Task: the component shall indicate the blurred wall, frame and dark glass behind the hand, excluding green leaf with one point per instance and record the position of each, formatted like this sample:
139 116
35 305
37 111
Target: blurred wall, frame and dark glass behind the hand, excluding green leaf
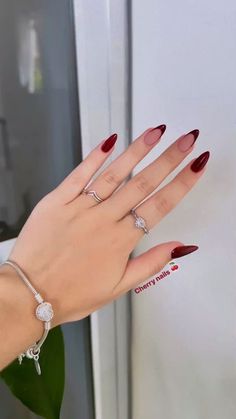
73 72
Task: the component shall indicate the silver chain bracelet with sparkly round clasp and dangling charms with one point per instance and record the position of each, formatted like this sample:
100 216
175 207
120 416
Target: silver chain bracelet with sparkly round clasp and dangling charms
43 312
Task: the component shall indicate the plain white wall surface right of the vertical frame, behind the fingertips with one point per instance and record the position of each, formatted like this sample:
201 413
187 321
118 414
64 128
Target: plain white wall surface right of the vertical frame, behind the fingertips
184 334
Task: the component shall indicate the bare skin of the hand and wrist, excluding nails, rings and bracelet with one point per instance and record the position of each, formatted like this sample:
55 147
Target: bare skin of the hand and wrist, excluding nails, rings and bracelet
76 251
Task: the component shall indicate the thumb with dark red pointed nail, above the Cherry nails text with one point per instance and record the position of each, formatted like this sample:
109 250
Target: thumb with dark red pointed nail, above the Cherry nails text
151 262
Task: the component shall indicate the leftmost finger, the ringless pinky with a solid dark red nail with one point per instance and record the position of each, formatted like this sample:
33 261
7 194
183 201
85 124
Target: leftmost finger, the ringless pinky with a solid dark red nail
74 183
